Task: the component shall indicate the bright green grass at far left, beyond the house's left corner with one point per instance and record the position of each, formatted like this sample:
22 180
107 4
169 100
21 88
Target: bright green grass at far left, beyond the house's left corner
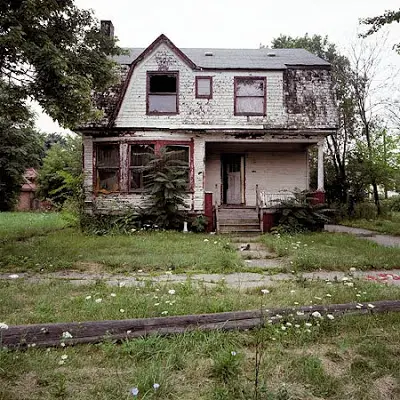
22 225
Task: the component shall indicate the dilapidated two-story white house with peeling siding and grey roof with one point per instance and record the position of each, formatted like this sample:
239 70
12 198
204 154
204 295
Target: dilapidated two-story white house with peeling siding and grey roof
244 119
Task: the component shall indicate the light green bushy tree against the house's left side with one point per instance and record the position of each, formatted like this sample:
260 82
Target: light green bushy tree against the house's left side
60 175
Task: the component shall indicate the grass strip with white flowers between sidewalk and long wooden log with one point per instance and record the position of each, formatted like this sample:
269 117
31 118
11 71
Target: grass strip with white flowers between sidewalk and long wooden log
59 301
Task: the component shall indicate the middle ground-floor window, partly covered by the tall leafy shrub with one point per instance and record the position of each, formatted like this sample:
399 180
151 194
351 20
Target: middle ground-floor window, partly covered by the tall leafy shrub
140 158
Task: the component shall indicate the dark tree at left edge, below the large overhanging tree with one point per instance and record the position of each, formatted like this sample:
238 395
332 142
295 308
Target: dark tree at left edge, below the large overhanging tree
20 145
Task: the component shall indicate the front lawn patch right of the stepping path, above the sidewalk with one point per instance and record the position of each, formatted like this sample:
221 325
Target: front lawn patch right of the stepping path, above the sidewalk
332 251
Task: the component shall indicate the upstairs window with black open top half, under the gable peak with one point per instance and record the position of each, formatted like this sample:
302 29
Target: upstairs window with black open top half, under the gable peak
162 93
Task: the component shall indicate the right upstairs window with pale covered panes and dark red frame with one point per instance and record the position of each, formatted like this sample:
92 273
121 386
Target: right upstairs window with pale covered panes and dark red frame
250 96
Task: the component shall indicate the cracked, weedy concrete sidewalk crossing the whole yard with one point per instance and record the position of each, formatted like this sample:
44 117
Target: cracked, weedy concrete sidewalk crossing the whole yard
235 280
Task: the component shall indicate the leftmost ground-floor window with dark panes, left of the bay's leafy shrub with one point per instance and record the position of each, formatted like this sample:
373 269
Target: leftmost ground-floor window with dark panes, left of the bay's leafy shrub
107 167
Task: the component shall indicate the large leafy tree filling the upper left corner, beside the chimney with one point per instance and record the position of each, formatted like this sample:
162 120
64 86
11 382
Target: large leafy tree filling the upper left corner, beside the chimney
57 54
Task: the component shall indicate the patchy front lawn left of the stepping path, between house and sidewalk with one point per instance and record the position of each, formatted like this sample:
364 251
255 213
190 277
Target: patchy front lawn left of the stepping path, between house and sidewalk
148 251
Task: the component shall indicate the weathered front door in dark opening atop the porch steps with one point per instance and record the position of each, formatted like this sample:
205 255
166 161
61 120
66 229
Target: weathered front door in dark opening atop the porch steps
232 171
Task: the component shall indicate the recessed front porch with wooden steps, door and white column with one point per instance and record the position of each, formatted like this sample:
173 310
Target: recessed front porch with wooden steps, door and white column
246 182
